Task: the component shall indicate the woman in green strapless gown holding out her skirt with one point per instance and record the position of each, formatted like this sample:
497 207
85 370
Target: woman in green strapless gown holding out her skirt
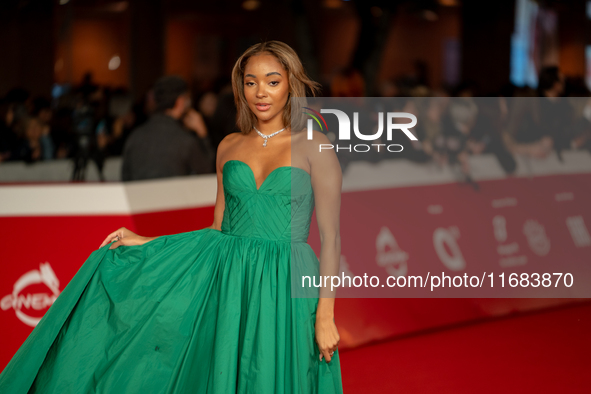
211 310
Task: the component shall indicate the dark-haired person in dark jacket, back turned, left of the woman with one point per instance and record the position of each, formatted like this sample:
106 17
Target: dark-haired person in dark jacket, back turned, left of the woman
163 146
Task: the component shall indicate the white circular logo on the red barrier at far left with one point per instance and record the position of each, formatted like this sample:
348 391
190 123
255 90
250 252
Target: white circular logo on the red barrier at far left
23 302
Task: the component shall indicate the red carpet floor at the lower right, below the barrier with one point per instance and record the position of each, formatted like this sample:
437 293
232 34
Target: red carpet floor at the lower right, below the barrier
546 351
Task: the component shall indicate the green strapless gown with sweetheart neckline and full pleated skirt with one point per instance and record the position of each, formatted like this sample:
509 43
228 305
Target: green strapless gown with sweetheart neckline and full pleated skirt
205 311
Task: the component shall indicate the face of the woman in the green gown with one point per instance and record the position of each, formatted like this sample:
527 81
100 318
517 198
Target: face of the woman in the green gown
266 87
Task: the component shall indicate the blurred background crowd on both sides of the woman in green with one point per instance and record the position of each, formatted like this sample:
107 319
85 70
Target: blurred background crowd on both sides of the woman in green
92 122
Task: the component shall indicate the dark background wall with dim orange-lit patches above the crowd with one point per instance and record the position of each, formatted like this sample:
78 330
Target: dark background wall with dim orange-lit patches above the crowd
44 42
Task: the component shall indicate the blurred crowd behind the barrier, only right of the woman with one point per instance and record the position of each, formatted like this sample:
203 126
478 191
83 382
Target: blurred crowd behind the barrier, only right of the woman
456 123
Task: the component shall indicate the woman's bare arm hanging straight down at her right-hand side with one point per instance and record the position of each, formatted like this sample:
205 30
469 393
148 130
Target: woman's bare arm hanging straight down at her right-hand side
326 176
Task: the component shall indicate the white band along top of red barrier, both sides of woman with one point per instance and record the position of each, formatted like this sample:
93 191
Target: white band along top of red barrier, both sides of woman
200 190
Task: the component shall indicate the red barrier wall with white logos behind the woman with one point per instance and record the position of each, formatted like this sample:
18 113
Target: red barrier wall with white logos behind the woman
64 239
